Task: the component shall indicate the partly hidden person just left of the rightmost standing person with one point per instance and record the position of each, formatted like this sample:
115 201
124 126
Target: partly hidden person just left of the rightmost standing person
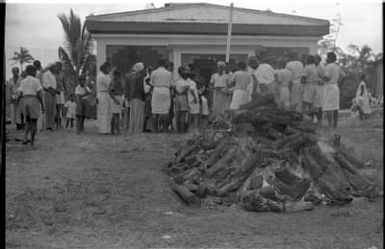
320 88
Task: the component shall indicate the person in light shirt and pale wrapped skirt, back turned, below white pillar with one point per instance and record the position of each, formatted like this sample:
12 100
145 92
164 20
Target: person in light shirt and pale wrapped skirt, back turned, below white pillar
161 97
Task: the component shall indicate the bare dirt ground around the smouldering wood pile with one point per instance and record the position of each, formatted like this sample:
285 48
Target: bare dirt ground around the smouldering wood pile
94 191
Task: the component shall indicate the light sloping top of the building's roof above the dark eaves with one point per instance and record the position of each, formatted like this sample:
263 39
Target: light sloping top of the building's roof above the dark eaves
206 13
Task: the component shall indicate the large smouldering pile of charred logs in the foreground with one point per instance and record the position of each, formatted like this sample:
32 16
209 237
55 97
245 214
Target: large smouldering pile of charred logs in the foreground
267 160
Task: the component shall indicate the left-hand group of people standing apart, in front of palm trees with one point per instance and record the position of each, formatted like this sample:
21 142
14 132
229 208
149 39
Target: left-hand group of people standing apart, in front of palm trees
36 100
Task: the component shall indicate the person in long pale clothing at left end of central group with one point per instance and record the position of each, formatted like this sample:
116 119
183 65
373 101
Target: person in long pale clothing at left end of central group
103 82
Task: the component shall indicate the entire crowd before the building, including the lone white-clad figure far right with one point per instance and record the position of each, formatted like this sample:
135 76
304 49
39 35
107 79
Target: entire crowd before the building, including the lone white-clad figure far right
147 100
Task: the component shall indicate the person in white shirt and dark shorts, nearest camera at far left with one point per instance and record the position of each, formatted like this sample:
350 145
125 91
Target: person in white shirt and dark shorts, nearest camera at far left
31 92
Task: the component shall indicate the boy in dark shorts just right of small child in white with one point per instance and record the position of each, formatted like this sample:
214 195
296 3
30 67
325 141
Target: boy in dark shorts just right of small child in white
81 93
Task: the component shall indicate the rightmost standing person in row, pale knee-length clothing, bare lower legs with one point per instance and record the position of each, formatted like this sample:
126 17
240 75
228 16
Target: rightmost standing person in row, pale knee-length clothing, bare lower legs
331 103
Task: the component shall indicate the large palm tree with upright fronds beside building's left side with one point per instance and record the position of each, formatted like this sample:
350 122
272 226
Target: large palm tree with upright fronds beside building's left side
77 46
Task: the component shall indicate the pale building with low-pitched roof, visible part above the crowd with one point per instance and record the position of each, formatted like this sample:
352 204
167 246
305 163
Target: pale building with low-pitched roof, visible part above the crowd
196 33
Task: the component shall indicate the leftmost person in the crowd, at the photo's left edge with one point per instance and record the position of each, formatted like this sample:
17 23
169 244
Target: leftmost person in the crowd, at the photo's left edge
12 99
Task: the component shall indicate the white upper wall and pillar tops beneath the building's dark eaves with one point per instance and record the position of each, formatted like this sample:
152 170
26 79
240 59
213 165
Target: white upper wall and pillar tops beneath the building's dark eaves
201 44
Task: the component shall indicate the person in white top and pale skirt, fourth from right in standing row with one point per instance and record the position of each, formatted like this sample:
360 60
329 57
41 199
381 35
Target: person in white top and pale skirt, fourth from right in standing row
296 69
